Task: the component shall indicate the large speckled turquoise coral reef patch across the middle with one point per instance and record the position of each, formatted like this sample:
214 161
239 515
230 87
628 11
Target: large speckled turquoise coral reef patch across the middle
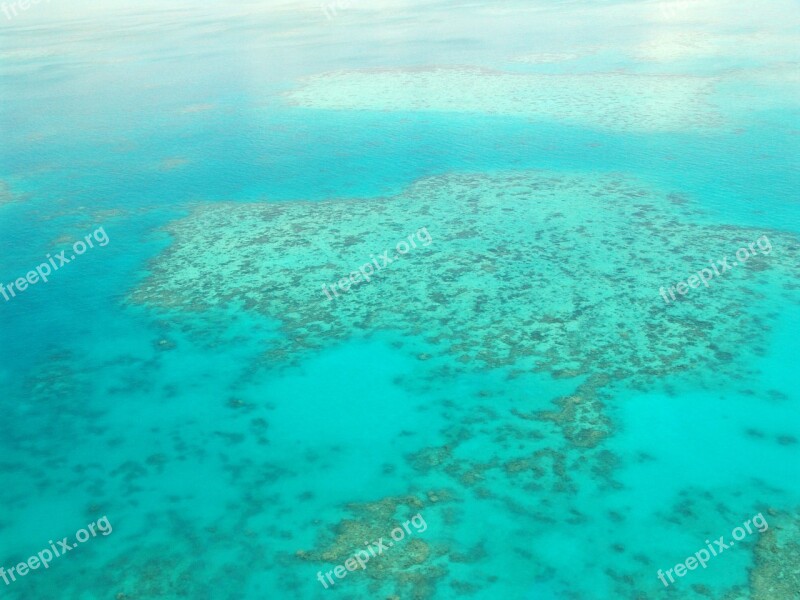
527 271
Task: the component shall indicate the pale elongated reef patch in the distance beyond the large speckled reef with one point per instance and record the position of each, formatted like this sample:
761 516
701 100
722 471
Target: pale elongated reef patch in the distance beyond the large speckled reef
614 101
